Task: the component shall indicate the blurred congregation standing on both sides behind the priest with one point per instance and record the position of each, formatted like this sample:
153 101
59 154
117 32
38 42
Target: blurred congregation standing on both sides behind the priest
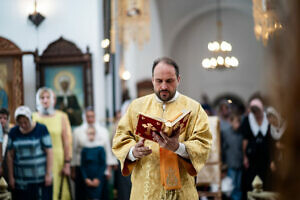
42 155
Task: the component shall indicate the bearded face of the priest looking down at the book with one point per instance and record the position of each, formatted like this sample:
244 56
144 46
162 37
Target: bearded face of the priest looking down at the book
165 81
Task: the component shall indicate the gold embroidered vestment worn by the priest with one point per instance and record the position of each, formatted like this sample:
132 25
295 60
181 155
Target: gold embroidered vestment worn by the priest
146 180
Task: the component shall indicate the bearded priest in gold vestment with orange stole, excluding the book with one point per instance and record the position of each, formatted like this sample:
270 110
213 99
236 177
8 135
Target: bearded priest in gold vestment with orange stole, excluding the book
163 169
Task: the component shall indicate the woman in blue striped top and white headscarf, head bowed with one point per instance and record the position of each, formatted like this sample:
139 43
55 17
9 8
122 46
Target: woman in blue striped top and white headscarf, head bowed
29 158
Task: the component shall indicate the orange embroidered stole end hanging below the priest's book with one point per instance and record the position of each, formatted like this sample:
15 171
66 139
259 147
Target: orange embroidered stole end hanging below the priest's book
169 170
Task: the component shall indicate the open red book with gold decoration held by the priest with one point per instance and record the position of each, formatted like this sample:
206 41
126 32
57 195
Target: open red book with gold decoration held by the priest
147 125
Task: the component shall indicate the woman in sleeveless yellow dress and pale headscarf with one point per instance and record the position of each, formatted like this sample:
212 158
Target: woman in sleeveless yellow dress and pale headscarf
60 131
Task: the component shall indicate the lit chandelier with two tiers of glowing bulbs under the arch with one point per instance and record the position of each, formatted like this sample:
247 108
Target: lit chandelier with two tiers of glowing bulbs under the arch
220 50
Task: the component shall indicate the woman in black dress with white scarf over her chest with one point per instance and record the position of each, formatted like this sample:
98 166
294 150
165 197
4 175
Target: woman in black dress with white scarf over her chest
256 145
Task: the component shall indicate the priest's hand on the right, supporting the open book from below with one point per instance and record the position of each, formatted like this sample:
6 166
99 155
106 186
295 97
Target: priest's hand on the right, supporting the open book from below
170 143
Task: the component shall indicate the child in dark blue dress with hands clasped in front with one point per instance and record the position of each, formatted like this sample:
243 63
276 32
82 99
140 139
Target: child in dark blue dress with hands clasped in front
93 166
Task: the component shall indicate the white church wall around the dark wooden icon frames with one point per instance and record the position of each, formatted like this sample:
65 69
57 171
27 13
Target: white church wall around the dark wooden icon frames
75 20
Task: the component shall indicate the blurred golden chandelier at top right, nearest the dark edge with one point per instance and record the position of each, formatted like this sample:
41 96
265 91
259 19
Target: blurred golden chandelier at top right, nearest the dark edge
266 21
